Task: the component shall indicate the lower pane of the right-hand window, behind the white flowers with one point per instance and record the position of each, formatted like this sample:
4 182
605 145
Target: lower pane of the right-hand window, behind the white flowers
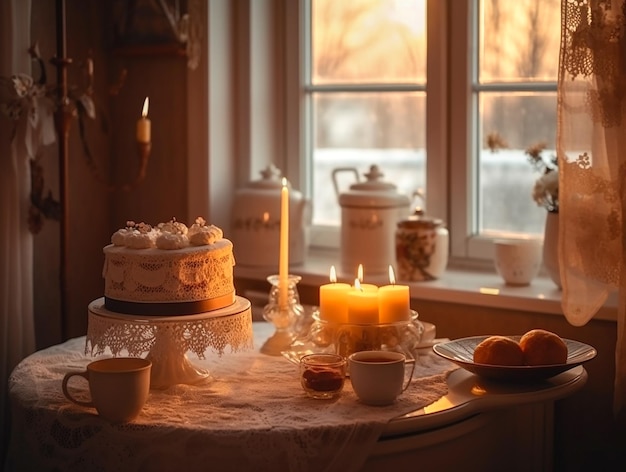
507 177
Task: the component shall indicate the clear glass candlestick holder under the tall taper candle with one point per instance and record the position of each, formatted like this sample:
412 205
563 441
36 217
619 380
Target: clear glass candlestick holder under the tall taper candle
286 318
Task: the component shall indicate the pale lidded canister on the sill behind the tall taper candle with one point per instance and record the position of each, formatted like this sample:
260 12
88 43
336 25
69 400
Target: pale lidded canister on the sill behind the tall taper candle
256 222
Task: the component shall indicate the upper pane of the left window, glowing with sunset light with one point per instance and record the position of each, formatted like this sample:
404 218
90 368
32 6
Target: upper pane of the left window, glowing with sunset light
368 41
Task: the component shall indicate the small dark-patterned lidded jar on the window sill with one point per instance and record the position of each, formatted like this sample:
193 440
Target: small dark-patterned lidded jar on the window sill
421 248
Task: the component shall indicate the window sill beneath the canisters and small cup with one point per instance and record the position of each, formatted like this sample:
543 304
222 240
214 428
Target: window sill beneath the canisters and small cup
458 285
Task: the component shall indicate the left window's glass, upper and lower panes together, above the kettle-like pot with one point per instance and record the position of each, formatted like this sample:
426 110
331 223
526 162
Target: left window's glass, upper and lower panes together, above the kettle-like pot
366 105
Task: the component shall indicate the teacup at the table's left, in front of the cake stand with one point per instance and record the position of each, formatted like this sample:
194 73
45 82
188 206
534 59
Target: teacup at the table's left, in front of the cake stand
119 387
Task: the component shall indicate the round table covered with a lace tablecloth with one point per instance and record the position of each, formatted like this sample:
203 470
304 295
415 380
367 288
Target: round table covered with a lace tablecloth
252 414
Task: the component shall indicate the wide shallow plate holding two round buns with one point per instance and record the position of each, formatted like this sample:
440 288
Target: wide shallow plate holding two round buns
461 352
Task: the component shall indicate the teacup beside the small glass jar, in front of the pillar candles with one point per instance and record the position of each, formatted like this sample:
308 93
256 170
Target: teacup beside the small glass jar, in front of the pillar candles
378 377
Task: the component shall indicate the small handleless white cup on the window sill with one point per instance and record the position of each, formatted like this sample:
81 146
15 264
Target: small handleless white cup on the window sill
518 261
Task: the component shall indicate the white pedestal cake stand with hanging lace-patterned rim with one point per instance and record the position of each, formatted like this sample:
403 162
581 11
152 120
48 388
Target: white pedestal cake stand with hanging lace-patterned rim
167 339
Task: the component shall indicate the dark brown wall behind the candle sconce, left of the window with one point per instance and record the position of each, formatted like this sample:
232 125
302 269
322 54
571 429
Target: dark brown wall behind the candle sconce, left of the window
95 211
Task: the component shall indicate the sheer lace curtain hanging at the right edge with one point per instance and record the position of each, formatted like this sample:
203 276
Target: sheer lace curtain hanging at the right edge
592 165
